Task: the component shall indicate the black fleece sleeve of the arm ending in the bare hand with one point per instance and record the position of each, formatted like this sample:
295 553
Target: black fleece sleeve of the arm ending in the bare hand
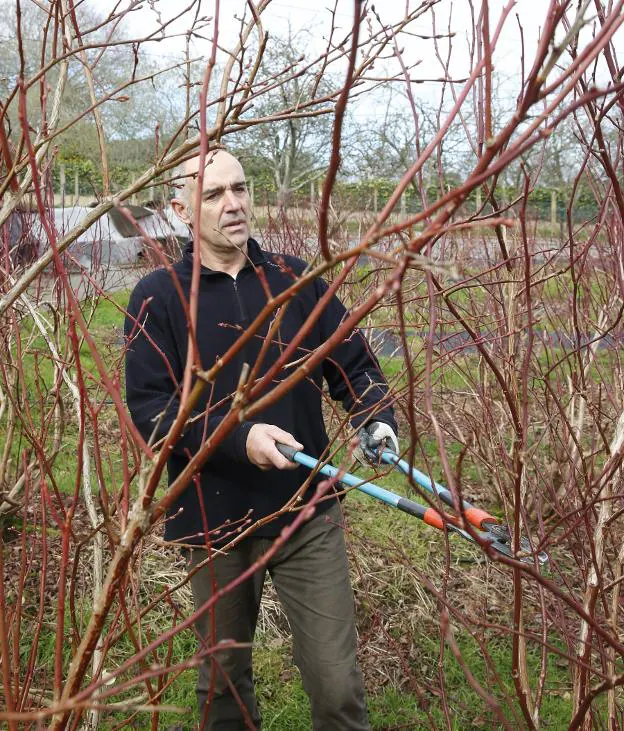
153 383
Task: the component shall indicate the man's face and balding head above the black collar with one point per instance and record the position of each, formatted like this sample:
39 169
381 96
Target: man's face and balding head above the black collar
225 204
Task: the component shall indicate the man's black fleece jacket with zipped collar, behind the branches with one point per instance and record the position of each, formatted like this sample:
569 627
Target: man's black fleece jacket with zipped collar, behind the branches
230 491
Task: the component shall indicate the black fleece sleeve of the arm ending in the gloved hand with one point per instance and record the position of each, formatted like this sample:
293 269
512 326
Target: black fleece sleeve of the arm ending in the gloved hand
352 372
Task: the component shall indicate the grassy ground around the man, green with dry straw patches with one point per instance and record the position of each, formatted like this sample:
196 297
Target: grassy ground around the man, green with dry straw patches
405 663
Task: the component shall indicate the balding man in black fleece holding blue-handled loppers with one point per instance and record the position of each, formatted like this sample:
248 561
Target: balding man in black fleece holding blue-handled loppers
247 478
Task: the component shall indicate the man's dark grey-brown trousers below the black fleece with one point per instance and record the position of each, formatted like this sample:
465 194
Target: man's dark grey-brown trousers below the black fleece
310 575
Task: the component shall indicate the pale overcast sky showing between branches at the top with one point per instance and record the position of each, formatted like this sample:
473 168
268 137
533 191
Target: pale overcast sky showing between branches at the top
312 17
